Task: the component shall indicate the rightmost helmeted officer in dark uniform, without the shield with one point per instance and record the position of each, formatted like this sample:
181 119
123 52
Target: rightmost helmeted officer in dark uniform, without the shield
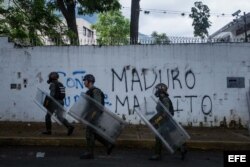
161 92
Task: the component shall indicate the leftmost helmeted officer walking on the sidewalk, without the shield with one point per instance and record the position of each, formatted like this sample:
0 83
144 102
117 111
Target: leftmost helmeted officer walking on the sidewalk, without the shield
56 90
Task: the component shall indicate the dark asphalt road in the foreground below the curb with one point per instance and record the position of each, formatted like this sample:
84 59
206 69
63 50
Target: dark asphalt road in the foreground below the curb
69 157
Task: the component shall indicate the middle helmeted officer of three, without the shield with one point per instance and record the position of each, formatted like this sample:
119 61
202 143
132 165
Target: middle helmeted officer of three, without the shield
91 136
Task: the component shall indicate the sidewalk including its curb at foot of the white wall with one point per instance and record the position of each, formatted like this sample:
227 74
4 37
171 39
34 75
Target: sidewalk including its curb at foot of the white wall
133 136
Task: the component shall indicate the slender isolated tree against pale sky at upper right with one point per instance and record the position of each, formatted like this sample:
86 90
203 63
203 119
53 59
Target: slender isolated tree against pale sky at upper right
200 15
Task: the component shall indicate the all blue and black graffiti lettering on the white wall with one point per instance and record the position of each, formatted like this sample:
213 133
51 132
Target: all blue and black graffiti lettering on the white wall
129 85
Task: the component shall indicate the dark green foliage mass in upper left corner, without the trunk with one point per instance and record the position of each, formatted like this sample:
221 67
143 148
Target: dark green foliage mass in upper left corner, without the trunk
30 22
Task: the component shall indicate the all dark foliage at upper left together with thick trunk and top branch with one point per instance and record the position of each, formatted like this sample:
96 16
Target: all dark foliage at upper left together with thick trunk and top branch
35 19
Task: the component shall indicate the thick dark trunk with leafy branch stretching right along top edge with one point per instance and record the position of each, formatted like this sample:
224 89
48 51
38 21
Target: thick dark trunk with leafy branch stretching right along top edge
68 9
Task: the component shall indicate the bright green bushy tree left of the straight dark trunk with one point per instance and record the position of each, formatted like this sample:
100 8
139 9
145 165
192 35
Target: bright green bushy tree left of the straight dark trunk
112 28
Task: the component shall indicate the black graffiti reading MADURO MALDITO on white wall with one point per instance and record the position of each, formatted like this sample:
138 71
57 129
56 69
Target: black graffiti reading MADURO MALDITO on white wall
136 83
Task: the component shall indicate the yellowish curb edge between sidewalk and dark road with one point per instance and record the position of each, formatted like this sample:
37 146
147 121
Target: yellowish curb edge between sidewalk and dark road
121 143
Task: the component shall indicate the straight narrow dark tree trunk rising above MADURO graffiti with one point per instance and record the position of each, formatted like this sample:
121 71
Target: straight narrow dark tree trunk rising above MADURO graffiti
134 25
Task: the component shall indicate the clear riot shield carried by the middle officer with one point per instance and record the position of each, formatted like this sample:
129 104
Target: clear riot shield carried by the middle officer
91 113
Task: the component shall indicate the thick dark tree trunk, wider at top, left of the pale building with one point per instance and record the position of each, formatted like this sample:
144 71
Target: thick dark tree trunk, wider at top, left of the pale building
67 8
